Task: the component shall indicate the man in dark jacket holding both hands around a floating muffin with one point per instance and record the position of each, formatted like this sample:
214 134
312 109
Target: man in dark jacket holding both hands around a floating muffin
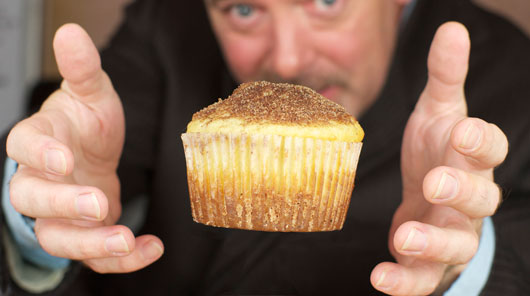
438 184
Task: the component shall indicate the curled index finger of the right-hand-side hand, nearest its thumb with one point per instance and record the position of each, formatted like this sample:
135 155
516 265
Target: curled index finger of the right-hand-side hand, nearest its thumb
484 144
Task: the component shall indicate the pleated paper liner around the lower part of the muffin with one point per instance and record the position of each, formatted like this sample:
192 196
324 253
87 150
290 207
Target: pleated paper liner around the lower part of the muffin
269 182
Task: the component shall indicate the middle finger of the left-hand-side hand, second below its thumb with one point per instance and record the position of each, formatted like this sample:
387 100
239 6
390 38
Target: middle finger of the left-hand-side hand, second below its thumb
37 197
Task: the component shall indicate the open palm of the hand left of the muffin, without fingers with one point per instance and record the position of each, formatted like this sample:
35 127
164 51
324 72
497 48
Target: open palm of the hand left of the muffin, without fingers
95 135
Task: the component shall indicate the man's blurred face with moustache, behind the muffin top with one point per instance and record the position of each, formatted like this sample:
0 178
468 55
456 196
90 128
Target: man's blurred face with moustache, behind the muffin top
340 48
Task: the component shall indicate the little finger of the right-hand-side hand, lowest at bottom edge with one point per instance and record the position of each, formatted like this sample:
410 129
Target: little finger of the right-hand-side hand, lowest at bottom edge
395 279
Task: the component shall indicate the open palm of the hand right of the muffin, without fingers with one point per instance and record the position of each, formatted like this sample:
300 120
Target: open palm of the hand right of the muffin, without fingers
426 145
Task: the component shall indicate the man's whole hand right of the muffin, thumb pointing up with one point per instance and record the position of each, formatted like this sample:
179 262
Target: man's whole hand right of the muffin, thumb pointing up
447 166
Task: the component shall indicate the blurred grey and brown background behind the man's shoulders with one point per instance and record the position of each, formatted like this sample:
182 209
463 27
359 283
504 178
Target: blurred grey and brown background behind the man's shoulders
27 65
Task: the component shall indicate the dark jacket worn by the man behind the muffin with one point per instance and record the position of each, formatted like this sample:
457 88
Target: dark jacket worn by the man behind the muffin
165 64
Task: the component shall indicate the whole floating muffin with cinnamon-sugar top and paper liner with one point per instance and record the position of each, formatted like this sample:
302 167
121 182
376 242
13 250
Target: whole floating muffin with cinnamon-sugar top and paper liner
272 157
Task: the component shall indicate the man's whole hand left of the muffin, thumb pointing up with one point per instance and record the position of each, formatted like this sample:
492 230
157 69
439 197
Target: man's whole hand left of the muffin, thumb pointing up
68 153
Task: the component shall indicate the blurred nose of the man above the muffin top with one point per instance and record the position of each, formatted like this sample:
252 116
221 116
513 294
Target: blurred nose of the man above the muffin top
289 49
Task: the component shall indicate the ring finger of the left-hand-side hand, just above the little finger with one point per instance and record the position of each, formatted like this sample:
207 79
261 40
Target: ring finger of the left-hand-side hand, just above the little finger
79 243
